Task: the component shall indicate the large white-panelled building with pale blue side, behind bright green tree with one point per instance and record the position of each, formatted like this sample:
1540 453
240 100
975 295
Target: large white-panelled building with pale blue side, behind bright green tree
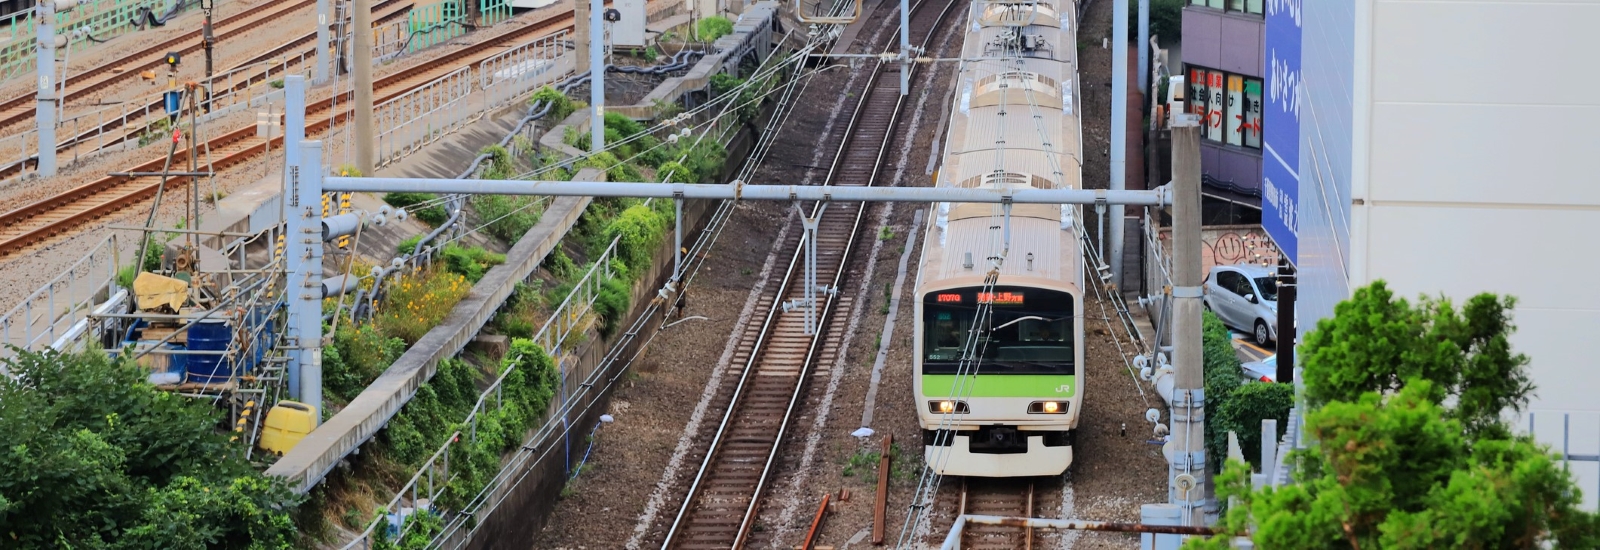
1446 149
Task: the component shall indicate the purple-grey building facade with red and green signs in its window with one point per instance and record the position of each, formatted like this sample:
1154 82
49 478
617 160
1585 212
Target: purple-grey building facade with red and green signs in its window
1223 70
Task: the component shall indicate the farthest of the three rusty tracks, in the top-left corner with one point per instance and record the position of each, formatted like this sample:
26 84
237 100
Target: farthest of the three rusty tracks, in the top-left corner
95 81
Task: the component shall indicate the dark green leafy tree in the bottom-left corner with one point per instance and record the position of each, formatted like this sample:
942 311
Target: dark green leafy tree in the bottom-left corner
92 456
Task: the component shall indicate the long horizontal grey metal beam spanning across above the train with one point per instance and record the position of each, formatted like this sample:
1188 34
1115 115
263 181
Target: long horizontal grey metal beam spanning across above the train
740 191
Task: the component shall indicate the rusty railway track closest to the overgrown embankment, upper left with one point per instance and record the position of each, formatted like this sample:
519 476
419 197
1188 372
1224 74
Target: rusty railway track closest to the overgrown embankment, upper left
42 221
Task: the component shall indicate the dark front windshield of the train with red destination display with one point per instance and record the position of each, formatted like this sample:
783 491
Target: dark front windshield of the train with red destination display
1023 330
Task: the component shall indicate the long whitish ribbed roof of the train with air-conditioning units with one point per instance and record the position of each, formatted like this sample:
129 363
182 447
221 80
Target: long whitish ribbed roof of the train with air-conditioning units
1014 124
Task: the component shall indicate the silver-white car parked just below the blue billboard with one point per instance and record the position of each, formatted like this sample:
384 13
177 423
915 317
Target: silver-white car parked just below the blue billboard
1246 298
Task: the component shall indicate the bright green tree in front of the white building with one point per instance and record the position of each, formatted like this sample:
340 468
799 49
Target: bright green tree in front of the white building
1417 456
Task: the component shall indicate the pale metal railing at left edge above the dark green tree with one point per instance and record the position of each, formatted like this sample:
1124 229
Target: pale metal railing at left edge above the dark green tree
49 313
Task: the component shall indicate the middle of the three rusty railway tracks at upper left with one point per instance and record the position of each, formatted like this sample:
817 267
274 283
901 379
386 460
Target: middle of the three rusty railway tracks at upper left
94 140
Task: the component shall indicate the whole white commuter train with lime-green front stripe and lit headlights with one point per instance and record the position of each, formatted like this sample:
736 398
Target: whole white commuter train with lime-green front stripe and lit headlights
999 314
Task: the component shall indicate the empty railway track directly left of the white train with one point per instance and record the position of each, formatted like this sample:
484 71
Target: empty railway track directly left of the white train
778 357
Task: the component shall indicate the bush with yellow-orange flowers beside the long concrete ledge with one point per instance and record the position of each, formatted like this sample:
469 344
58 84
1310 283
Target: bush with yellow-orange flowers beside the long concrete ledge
418 301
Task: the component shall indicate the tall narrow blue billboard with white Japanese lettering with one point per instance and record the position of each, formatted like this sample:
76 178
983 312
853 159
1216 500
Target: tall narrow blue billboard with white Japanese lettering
1281 127
